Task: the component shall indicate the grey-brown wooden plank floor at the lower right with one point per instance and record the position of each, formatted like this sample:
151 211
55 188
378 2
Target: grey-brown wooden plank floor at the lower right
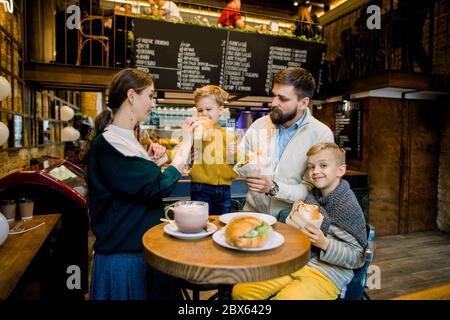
411 262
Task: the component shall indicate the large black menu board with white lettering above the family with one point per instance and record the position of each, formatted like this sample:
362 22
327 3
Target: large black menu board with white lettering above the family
185 57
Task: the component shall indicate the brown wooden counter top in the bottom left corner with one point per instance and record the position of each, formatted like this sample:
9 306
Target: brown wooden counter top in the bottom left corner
18 251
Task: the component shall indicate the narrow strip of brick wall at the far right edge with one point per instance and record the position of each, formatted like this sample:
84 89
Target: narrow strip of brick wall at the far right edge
443 201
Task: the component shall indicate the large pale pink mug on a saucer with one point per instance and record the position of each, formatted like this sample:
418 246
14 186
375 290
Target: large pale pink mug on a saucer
188 216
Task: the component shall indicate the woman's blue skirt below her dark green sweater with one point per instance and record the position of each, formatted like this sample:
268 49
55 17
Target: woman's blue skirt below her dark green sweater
127 276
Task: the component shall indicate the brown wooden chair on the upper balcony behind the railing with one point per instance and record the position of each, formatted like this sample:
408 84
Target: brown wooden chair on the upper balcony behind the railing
83 38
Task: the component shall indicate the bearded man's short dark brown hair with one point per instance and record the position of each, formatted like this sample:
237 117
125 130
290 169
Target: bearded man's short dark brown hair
302 80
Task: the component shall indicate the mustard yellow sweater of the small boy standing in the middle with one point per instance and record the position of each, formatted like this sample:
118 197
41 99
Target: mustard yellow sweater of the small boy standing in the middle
214 169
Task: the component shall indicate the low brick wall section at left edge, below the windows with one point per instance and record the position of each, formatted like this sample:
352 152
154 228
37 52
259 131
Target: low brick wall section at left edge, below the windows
20 159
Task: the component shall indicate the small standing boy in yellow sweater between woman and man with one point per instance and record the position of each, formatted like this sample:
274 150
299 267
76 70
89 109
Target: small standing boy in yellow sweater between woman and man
212 171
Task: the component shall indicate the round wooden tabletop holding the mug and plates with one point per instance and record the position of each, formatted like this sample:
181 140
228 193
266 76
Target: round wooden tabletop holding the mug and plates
204 261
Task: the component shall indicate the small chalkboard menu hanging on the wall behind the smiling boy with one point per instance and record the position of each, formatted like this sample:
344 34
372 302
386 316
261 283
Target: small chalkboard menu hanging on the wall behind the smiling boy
348 124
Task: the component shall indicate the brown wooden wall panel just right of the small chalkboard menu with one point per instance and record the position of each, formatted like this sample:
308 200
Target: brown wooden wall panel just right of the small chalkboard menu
383 118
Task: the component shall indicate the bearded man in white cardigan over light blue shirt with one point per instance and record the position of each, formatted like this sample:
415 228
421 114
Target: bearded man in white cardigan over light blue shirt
283 137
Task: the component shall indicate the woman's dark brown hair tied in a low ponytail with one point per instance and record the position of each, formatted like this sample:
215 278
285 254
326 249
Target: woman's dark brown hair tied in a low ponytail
118 92
